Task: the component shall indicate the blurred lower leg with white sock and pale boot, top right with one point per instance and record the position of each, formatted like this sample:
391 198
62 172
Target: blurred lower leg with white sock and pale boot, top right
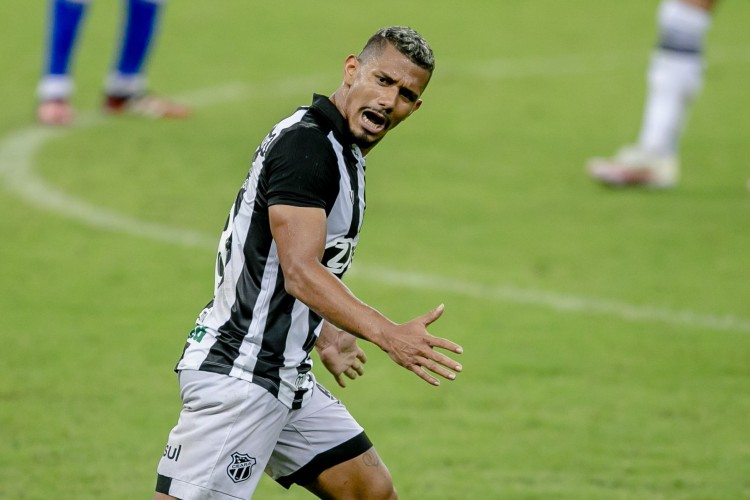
675 77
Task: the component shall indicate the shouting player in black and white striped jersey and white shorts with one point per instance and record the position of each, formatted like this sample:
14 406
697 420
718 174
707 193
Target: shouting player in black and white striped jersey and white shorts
250 402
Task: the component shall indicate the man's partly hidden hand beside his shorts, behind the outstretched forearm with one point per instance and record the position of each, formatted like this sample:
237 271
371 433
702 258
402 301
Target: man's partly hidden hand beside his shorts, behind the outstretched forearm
340 354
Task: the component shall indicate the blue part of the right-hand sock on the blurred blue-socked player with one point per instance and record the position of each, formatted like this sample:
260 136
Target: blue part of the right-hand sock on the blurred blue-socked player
137 34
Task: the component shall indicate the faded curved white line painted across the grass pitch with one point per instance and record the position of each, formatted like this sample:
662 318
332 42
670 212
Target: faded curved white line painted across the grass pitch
18 149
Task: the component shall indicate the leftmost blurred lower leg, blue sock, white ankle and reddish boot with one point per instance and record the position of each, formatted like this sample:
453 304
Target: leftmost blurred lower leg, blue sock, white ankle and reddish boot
56 86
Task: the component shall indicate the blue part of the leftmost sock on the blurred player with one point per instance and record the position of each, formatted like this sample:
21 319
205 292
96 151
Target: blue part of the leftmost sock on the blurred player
64 23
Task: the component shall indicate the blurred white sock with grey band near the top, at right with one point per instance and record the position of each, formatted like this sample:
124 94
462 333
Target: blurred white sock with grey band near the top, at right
675 75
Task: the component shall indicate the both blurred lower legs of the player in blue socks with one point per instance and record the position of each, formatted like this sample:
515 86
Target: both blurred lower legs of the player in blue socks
125 85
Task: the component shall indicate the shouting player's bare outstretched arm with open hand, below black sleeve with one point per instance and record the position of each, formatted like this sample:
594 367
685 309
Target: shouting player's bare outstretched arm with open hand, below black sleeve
299 233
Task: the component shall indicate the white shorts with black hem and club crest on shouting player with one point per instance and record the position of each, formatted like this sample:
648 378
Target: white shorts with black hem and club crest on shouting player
231 430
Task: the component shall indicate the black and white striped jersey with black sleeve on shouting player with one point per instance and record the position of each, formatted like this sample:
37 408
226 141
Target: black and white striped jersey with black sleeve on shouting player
253 329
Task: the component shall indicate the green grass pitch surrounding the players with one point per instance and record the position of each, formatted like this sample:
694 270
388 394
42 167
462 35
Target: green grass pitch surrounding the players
606 332
